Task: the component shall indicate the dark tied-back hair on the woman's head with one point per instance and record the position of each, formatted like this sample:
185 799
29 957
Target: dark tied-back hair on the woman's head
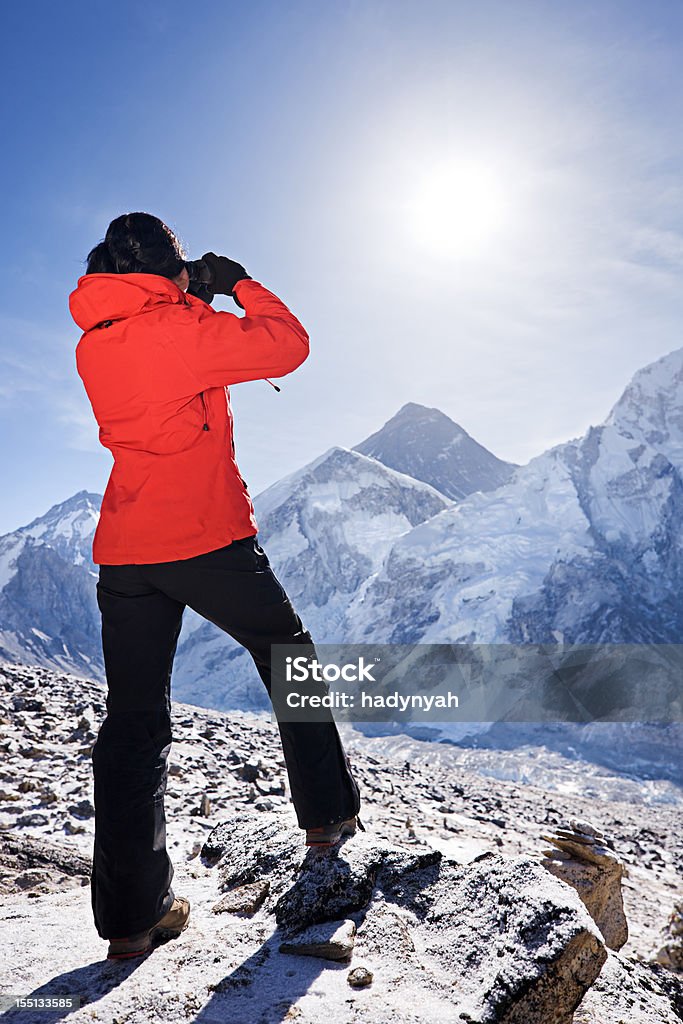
138 243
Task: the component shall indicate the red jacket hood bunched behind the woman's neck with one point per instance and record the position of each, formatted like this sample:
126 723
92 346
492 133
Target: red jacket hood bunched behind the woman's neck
115 296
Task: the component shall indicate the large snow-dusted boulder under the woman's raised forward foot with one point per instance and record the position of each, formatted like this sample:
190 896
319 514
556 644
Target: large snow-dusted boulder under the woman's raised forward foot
500 941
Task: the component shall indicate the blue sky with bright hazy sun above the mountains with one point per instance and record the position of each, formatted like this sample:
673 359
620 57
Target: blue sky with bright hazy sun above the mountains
313 143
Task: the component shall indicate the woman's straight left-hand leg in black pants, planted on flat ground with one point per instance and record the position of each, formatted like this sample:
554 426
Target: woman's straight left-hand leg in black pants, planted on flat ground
132 870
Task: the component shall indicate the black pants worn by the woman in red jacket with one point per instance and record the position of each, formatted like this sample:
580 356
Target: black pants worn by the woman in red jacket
142 610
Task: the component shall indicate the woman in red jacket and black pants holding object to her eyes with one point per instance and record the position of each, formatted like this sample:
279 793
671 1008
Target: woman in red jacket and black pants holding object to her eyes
177 530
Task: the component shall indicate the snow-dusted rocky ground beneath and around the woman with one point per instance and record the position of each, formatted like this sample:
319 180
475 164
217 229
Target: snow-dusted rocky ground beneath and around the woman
430 956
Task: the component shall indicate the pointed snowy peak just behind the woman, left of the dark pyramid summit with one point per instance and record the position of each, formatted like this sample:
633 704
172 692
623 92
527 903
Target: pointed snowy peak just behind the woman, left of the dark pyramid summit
326 529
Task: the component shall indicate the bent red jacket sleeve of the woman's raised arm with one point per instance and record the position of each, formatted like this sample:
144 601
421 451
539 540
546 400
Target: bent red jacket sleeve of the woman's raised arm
223 349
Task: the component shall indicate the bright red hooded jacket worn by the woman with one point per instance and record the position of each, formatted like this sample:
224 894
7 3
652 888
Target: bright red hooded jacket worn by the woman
157 364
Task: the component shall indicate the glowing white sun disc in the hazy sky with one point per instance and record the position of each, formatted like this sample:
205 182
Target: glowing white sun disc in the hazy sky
458 209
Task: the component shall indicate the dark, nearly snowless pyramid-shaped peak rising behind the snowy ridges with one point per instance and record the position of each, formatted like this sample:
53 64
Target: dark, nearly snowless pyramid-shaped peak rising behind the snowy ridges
428 445
